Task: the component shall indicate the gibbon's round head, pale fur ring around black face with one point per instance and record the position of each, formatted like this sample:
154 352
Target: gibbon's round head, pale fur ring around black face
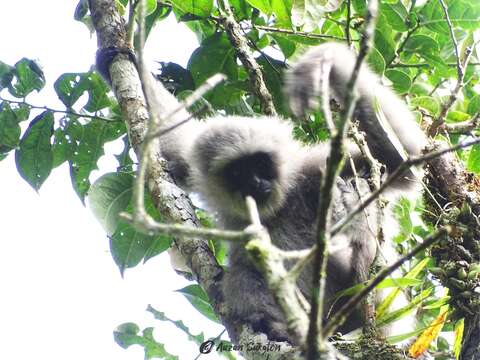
234 158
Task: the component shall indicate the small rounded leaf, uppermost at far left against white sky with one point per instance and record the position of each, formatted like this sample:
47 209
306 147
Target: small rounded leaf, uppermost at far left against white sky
28 76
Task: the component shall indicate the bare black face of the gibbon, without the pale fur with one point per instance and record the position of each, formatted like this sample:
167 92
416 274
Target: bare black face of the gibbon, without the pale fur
252 175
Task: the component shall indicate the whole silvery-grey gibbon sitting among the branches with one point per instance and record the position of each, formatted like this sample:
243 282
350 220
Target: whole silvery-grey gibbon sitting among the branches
224 159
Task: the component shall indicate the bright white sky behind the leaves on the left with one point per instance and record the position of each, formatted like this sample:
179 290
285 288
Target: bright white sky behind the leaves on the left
61 295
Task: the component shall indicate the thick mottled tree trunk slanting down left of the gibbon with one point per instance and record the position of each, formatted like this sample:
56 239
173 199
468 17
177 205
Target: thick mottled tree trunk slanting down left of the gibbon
170 200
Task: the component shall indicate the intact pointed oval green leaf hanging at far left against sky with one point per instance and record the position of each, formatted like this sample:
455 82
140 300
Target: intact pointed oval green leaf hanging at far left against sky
34 157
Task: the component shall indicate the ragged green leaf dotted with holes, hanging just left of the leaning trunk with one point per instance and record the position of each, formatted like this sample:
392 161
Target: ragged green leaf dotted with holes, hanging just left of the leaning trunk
90 140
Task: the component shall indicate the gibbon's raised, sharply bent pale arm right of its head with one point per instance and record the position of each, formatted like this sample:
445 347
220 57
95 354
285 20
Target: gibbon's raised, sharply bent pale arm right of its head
392 134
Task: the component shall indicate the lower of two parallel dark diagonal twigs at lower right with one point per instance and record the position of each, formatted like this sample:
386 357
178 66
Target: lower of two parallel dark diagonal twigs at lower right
341 315
